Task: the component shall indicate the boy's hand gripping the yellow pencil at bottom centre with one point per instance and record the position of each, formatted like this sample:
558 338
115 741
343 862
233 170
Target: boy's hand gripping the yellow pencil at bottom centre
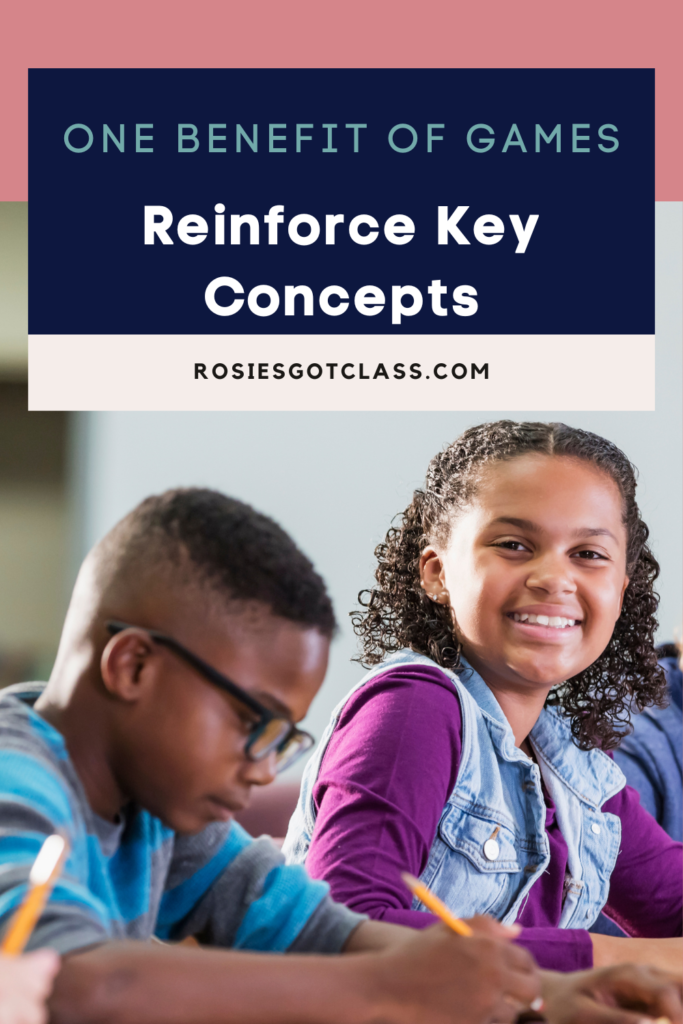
440 978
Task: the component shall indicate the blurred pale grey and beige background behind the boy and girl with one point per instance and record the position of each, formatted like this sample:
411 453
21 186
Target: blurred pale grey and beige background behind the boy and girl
333 480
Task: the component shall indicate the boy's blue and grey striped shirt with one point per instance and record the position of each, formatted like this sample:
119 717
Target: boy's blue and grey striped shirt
138 879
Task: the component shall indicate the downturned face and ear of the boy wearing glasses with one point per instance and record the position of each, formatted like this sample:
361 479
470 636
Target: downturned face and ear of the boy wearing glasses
181 741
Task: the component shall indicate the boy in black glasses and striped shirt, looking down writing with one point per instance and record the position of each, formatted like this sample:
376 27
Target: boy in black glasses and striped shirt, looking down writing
197 637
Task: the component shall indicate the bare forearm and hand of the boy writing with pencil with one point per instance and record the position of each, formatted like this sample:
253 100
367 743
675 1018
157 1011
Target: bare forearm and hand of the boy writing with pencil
433 978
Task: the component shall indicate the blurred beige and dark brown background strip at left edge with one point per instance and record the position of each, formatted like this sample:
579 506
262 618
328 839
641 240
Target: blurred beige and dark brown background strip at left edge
34 497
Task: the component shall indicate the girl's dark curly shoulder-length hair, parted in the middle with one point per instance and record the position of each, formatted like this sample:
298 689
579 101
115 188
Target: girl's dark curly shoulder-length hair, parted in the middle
398 614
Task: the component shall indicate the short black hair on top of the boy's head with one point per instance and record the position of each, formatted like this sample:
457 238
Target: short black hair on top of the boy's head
236 550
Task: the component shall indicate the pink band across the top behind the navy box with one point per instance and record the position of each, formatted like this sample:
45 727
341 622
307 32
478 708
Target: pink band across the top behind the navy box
356 34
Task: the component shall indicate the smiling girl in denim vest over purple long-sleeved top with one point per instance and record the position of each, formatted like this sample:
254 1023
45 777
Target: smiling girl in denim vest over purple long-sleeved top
510 633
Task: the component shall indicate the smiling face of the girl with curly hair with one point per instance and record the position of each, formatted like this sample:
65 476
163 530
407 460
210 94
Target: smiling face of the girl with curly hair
534 571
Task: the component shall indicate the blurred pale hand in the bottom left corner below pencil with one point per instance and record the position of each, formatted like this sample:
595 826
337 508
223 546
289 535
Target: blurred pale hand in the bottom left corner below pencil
25 985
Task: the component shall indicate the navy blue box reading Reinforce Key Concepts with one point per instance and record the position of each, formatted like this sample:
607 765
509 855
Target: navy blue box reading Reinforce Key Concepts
589 267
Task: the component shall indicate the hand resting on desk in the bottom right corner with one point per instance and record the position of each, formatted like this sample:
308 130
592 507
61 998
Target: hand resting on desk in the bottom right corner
628 994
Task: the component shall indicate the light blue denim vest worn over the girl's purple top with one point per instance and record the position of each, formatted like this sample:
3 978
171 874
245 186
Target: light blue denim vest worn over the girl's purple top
491 845
